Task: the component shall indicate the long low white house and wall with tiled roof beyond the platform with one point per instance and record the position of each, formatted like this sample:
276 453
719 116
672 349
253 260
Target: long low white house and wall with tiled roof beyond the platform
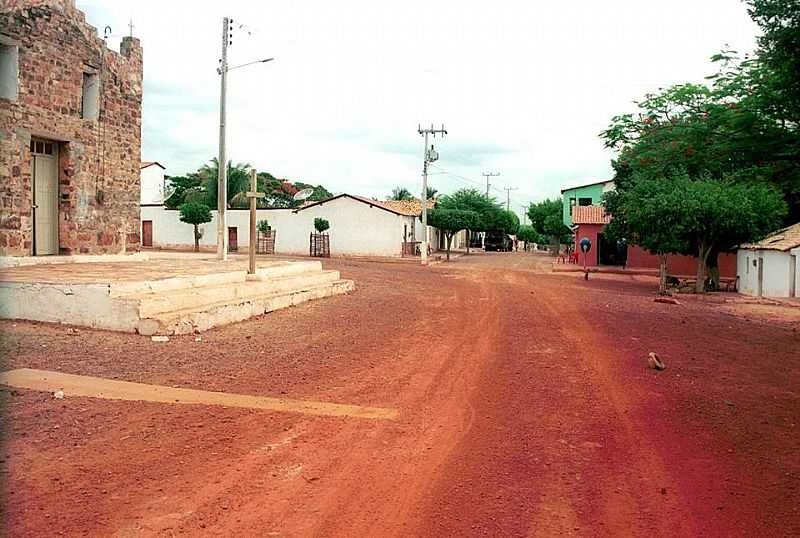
359 226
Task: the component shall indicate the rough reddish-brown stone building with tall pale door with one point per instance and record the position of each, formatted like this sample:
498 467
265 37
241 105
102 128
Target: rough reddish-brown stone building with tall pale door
70 133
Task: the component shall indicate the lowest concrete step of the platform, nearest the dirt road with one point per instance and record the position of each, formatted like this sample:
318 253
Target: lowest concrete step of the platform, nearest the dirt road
198 319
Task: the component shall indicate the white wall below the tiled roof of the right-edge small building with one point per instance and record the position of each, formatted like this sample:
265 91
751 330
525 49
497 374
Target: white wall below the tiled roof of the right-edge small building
776 272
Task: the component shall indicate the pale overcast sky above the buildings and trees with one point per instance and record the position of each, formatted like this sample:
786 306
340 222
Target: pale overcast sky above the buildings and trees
523 88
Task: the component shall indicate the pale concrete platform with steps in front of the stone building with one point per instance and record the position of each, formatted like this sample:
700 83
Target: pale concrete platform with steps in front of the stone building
165 295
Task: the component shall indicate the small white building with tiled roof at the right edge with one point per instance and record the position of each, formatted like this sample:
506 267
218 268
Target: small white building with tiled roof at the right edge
769 268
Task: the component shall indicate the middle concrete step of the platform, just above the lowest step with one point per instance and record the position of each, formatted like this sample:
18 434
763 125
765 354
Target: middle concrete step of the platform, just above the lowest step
150 304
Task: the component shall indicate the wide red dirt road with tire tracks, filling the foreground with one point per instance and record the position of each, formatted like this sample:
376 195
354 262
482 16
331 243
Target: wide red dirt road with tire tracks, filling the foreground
526 409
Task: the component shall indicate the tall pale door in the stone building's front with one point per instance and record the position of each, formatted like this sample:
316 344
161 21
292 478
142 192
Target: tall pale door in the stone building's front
45 197
